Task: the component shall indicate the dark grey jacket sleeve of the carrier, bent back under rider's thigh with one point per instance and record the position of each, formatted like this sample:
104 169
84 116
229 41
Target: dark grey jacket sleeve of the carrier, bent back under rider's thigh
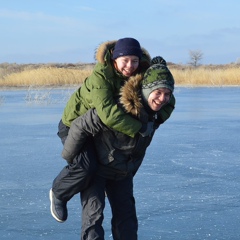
81 128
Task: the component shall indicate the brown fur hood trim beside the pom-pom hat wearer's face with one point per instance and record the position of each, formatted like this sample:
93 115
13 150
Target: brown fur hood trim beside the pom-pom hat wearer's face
130 95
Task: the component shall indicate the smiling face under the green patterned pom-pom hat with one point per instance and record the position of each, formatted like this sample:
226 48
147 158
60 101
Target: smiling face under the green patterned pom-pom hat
158 98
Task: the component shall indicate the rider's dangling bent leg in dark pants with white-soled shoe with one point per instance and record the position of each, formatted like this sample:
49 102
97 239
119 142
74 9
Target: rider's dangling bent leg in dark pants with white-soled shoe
73 179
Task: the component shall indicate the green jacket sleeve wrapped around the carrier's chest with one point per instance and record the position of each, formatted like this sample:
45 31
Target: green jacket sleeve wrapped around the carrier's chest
109 112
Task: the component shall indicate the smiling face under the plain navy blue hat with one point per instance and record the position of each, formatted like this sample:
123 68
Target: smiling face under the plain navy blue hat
127 65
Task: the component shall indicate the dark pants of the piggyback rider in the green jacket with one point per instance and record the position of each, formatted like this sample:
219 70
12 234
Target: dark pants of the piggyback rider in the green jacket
76 176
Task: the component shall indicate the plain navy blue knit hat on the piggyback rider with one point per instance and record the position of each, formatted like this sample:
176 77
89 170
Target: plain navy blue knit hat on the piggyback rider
127 46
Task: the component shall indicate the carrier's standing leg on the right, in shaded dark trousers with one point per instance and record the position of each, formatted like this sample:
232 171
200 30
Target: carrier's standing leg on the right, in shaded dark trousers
124 220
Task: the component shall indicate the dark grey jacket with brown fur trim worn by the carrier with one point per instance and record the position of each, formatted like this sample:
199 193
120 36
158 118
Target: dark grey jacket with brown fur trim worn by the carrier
118 154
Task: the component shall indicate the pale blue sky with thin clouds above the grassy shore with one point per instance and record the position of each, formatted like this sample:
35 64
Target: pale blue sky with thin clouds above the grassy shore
62 31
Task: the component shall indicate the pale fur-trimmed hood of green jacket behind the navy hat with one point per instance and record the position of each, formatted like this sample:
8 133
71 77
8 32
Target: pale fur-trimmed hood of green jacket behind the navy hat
104 48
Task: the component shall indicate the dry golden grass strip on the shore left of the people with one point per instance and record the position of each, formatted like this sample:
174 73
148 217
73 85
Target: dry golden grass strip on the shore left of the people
44 75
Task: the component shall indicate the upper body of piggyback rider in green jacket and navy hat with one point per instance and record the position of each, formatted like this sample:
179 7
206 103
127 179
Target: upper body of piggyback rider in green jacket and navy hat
116 62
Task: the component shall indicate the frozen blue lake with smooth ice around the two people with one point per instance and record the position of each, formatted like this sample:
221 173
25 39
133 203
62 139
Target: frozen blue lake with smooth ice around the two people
188 187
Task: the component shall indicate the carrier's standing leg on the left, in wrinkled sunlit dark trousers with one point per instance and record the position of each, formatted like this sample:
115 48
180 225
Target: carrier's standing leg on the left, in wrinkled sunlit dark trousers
93 204
